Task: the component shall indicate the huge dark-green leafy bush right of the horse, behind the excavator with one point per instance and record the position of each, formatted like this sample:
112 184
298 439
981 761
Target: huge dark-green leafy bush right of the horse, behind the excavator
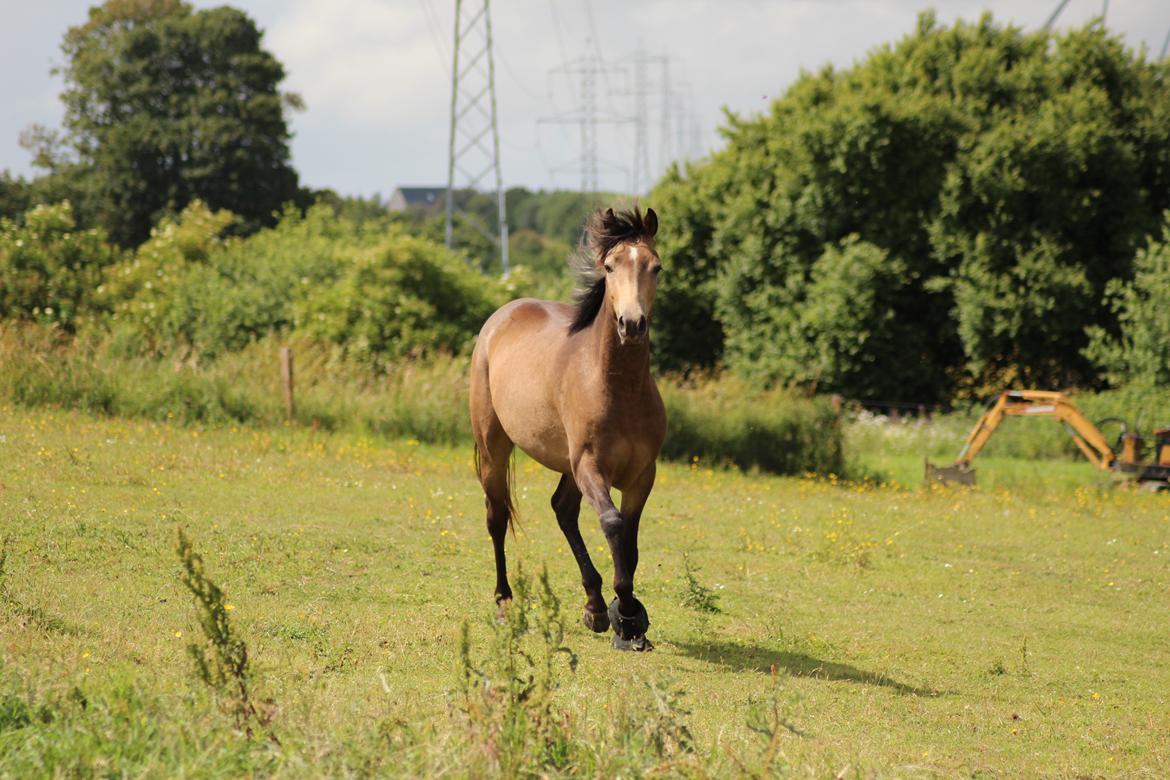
1007 176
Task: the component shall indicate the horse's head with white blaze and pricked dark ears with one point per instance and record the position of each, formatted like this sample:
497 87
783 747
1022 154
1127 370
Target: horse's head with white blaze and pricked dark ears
631 266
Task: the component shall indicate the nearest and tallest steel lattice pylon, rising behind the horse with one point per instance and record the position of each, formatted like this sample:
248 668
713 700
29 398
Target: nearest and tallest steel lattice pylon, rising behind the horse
473 154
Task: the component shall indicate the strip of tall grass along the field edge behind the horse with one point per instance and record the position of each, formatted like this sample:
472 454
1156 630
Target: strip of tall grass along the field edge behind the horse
724 422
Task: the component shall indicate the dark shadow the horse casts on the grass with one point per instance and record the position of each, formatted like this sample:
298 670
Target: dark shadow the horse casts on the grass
745 658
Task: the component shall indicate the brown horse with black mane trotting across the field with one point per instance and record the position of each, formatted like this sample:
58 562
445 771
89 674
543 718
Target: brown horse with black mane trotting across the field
572 386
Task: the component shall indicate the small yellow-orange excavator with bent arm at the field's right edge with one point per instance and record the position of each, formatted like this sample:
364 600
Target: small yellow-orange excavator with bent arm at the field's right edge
1125 460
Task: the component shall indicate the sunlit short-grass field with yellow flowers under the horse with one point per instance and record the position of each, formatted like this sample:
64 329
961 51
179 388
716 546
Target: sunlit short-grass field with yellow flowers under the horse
1015 631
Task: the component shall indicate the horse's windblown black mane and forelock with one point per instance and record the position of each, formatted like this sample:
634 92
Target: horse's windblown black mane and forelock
604 231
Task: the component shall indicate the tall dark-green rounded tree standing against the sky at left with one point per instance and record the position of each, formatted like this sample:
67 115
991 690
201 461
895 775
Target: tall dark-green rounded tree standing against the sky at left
166 106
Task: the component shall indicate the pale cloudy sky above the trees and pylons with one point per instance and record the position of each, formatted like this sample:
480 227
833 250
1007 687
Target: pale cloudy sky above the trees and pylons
376 75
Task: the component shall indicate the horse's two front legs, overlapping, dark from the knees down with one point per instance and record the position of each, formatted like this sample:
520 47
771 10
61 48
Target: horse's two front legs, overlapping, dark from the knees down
628 616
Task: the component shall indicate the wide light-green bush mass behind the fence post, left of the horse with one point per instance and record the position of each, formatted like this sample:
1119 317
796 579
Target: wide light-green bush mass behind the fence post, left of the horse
377 294
